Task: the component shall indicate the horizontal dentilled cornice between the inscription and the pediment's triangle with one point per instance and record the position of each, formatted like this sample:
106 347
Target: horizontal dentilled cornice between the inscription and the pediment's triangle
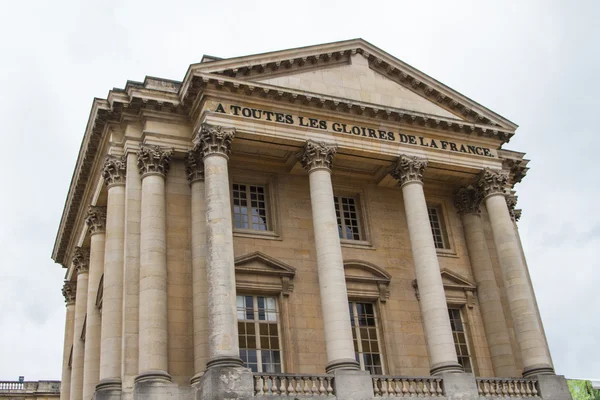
339 104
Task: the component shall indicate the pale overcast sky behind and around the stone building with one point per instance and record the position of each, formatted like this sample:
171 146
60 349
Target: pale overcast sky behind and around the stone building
534 62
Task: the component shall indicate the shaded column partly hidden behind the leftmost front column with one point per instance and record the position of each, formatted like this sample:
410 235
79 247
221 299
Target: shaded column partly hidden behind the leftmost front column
195 174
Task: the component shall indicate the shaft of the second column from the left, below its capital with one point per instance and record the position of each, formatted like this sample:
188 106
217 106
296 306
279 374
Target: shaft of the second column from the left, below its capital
78 344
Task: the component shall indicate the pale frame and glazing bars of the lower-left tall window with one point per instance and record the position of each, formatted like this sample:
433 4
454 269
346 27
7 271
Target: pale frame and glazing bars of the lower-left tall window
257 322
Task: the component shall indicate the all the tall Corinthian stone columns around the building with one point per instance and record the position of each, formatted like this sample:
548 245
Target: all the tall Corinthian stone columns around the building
98 365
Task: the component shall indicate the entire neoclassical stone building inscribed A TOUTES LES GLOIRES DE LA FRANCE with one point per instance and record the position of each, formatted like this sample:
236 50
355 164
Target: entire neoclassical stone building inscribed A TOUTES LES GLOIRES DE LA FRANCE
321 221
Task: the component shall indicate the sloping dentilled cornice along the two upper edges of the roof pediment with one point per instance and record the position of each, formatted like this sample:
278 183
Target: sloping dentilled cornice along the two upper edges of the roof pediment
331 53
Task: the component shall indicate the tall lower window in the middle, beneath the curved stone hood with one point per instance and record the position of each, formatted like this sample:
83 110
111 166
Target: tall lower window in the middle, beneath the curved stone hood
365 334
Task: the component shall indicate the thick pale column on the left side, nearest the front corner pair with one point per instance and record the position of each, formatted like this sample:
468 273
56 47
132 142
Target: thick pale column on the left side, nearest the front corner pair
153 165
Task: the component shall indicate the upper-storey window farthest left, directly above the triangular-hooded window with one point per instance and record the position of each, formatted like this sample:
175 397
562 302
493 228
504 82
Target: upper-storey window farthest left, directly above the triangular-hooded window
250 207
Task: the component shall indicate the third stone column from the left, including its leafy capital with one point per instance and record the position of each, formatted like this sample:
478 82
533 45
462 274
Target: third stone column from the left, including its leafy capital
96 222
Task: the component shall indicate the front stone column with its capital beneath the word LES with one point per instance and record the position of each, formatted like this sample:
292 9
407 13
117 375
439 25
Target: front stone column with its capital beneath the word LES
316 158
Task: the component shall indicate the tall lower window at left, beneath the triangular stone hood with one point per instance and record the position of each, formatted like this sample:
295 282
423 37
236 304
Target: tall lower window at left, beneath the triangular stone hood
258 332
